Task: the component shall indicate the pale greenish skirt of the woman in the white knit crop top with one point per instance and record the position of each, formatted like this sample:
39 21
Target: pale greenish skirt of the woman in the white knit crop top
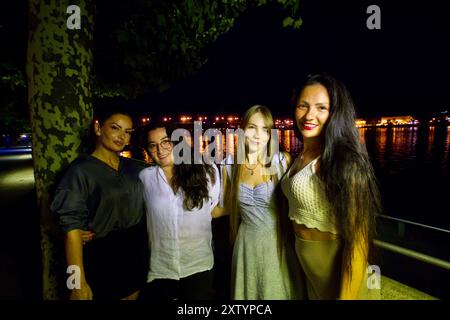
321 262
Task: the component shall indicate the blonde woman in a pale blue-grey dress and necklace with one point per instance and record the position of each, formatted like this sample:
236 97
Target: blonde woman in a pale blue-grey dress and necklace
264 266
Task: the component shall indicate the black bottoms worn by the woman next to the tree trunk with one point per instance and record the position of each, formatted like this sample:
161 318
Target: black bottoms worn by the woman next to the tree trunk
117 264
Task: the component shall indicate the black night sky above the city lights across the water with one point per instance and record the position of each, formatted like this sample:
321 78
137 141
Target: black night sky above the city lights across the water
403 68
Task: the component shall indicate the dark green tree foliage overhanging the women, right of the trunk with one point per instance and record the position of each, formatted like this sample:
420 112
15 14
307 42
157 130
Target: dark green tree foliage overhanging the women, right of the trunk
151 44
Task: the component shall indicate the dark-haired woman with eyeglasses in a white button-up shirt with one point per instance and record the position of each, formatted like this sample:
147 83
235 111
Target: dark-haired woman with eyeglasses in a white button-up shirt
179 200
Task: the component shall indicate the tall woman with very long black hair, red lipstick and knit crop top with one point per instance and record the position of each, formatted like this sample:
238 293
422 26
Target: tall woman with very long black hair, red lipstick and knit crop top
332 193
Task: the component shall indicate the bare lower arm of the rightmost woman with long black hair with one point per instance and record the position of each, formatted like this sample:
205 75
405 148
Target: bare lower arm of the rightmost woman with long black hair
350 284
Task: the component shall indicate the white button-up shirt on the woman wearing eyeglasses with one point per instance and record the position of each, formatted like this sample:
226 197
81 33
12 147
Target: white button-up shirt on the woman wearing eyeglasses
180 240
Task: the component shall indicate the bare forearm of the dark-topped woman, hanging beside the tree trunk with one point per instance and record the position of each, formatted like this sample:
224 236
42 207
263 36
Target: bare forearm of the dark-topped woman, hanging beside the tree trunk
74 256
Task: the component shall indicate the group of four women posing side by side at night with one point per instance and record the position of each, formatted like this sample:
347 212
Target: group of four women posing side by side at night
299 229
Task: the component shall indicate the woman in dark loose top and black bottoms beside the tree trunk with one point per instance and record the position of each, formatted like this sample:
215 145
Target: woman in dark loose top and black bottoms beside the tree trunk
102 193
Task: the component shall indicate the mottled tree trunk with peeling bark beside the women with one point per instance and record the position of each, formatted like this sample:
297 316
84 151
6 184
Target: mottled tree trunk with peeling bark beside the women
59 64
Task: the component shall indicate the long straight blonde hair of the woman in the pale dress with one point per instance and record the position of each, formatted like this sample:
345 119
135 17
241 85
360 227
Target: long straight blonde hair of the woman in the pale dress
232 197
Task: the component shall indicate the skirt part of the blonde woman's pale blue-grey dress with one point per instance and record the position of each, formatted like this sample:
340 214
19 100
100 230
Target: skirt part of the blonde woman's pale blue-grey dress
258 273
